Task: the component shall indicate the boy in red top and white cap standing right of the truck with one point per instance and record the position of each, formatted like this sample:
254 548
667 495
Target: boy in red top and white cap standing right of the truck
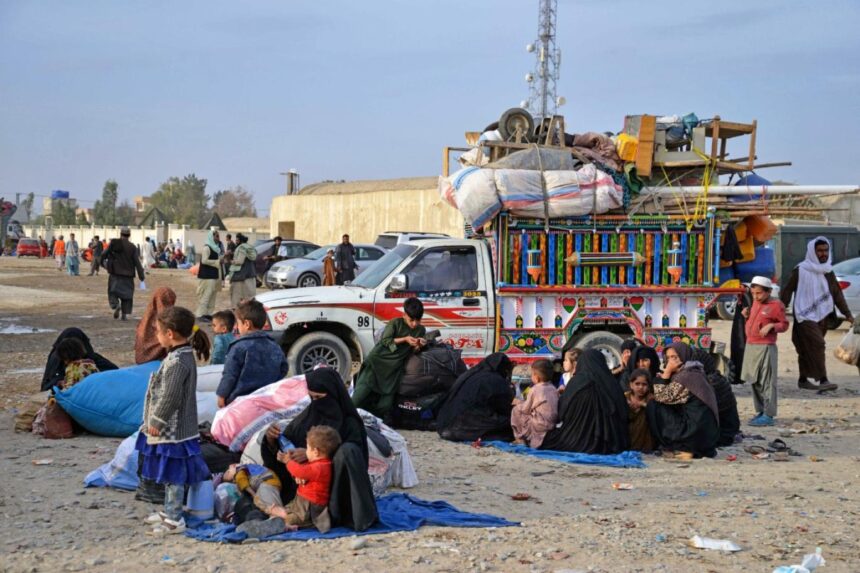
765 320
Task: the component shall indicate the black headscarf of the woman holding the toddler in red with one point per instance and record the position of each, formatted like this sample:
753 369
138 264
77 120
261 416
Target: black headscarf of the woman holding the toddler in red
335 409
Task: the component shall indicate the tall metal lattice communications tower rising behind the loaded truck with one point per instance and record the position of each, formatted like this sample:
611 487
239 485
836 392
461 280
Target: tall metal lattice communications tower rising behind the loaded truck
543 100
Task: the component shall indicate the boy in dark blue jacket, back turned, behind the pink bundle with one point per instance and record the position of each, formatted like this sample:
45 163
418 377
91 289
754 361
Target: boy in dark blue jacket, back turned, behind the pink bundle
254 360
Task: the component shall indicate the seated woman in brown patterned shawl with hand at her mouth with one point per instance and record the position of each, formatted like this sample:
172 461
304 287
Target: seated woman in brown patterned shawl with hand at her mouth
683 416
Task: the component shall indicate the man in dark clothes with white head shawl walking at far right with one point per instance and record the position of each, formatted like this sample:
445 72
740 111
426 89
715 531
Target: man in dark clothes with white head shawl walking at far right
816 292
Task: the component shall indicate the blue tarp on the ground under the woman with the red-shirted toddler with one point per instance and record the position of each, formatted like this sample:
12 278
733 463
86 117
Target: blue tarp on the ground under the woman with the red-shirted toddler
397 512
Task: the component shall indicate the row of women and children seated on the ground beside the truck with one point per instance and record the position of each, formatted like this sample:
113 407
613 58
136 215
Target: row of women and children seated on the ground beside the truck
685 410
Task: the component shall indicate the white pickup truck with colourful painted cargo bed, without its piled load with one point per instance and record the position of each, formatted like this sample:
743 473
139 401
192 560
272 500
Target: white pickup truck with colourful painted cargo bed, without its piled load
518 290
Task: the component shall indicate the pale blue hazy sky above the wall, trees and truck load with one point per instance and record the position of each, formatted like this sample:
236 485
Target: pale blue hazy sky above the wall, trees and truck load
238 92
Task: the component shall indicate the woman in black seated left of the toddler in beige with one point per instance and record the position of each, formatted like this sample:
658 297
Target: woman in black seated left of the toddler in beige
480 402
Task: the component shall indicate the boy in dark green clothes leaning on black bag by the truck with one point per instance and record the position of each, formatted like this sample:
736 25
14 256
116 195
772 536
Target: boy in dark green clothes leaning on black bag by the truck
379 378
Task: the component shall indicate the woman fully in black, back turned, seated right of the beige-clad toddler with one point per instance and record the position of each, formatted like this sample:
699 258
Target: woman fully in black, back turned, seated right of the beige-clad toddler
592 411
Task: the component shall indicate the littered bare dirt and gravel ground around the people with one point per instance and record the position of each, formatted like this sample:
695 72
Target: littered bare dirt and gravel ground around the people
575 521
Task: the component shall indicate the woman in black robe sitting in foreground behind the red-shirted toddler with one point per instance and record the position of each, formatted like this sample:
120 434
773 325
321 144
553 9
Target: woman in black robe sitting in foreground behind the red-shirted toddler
352 503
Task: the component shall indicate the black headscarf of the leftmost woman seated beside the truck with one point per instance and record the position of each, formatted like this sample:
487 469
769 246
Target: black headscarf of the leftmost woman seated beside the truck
473 388
